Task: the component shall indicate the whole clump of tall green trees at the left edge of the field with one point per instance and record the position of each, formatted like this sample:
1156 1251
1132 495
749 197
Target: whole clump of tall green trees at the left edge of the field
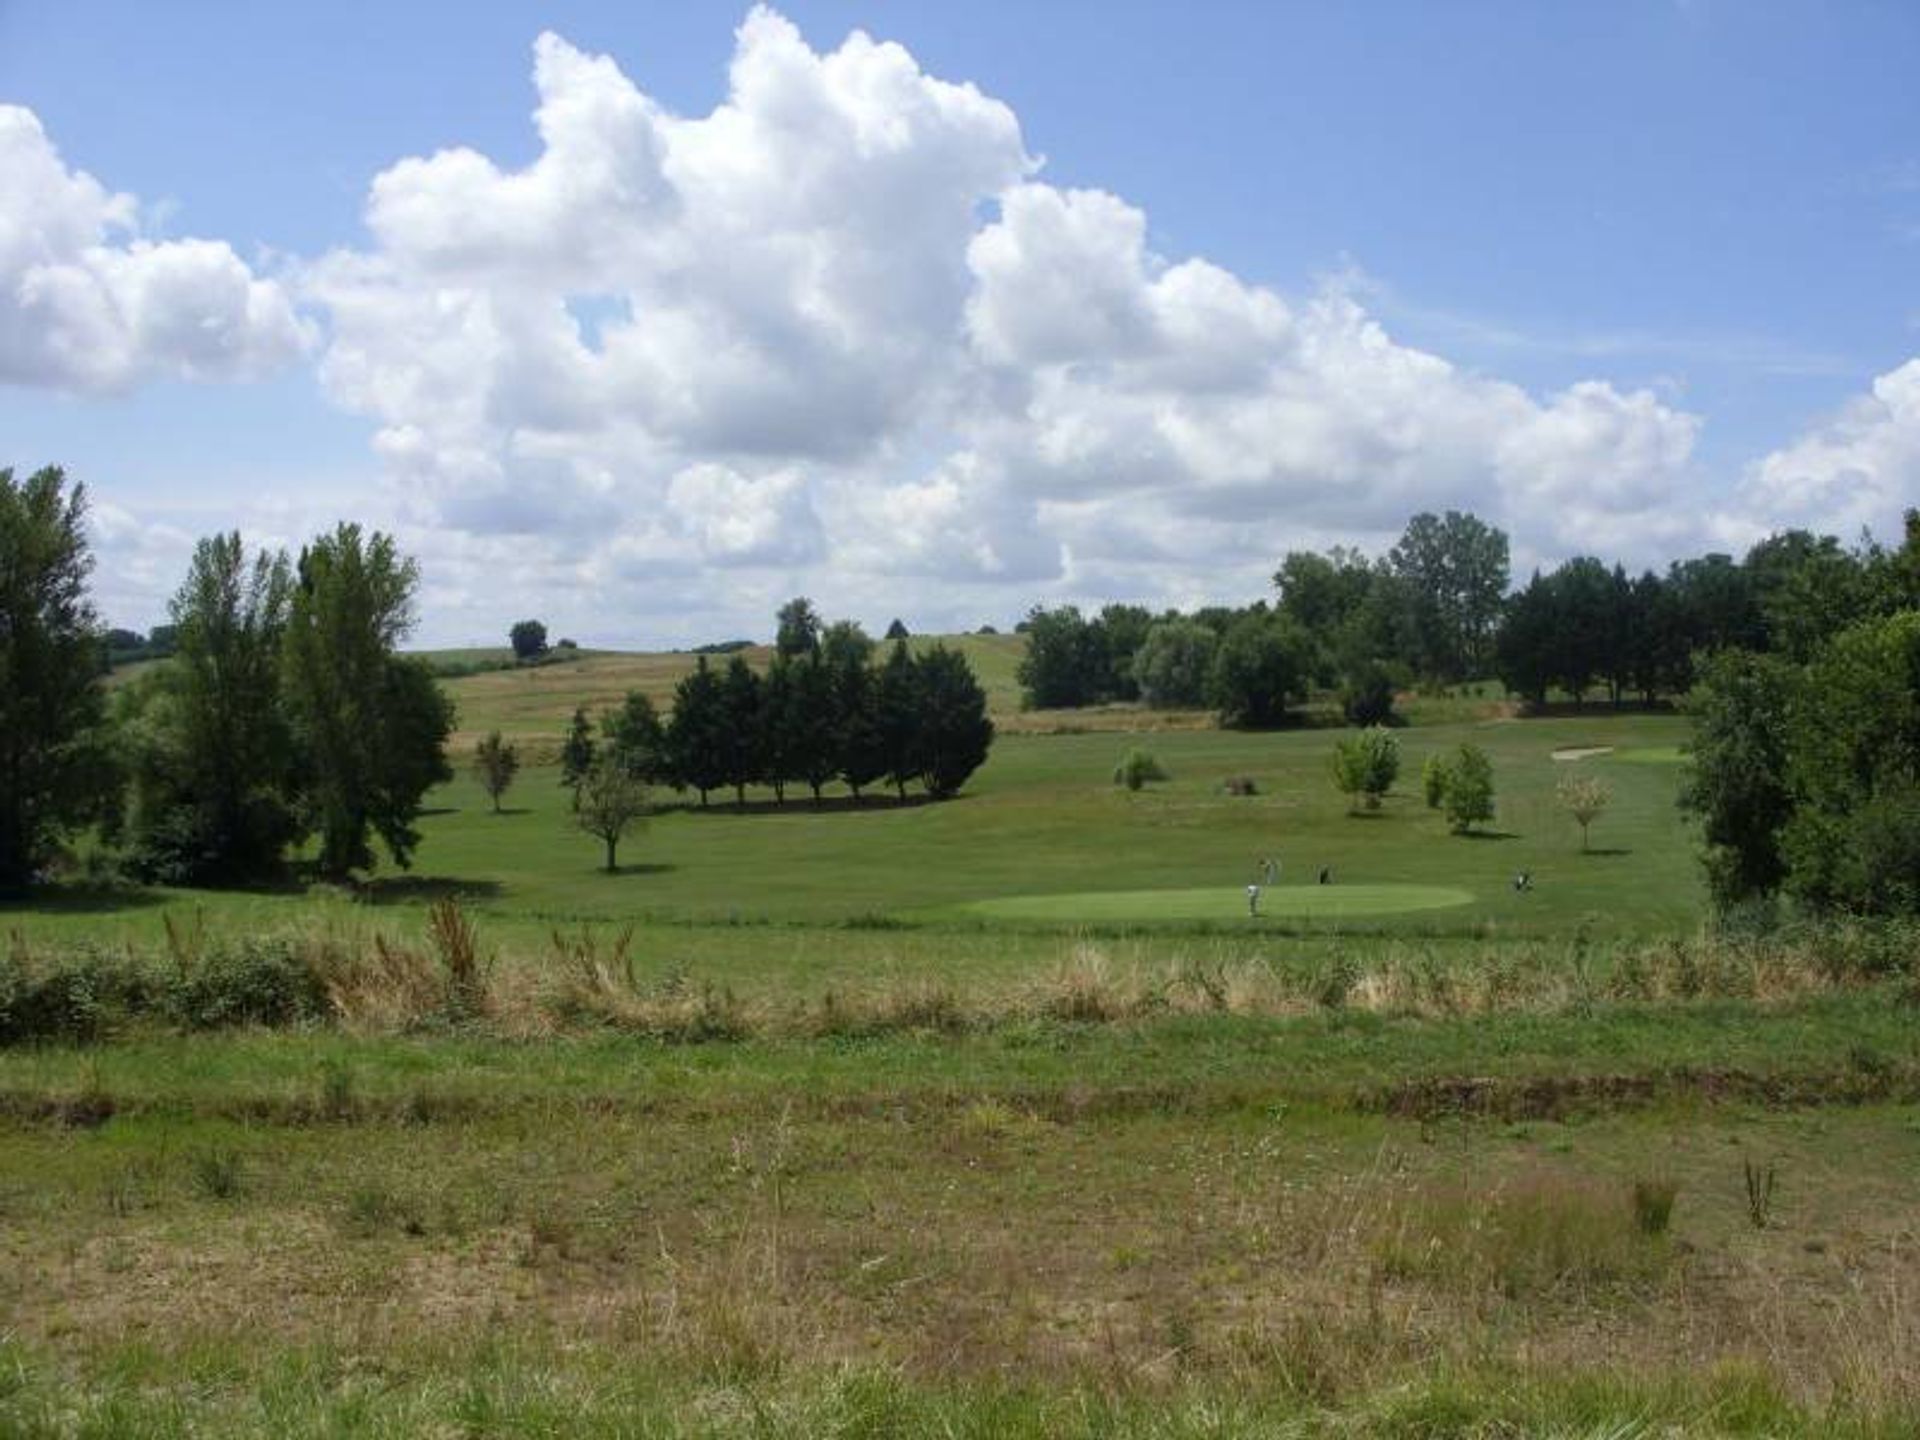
285 711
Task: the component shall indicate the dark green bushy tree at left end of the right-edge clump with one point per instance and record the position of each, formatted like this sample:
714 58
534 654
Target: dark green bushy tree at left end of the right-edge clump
1739 777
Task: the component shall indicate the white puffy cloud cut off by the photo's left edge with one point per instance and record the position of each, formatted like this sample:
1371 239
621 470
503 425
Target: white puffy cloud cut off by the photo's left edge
87 304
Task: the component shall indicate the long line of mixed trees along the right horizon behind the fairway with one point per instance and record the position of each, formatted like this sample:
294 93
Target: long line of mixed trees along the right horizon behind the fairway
1437 610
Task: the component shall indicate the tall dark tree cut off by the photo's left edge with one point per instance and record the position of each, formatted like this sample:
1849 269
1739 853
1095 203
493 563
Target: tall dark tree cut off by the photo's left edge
55 765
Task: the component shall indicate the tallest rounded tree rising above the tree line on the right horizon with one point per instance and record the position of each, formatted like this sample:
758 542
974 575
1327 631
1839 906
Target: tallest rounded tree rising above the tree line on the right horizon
1456 573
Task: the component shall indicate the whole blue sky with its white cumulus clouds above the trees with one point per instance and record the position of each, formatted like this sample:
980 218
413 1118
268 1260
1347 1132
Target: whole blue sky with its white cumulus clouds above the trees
1673 247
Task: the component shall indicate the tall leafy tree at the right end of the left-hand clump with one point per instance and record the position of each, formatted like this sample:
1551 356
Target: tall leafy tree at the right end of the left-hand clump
372 727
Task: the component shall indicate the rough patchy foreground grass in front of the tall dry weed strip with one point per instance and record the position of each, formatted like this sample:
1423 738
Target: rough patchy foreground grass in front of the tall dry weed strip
1193 1226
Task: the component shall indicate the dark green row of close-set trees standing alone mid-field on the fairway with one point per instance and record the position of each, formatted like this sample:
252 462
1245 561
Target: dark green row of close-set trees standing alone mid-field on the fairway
825 711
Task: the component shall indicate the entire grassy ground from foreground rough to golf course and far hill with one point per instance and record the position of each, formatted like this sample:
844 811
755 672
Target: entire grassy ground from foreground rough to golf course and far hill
990 1118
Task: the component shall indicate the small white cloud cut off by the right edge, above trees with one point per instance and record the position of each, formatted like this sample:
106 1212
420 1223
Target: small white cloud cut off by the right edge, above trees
1858 471
